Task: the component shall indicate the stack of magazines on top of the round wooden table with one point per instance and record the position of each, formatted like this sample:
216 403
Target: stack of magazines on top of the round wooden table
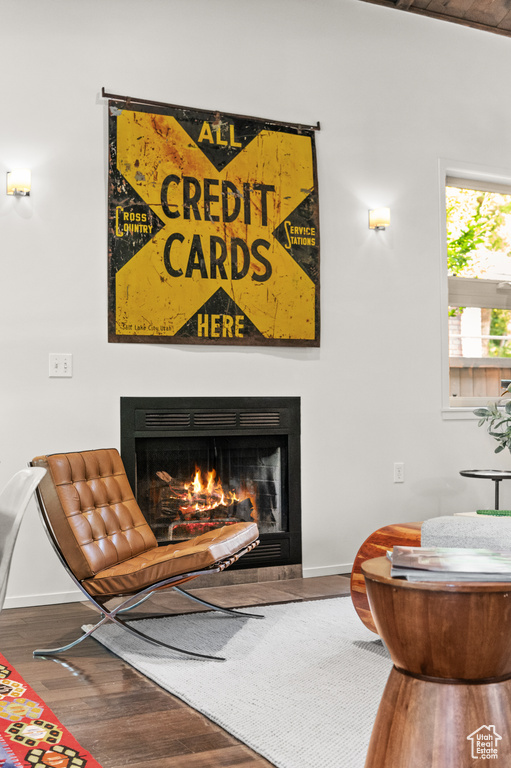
449 564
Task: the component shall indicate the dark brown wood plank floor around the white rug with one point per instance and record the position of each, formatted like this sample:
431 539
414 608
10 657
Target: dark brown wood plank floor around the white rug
121 717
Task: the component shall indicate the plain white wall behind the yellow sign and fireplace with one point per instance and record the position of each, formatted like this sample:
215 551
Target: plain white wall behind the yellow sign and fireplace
394 93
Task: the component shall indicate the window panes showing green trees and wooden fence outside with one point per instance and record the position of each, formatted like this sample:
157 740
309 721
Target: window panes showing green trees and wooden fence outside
479 290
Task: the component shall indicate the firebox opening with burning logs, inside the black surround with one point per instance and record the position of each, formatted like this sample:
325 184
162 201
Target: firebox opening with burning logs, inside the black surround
187 486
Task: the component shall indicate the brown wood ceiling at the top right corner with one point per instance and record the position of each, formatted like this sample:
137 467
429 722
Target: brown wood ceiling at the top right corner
490 15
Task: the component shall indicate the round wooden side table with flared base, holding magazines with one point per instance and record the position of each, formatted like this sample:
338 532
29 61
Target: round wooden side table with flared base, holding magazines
447 702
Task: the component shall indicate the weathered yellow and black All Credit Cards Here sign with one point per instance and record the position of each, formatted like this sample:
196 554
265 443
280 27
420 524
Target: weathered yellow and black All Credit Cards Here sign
213 229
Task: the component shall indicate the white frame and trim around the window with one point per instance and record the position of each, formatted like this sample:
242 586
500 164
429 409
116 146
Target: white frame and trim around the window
484 179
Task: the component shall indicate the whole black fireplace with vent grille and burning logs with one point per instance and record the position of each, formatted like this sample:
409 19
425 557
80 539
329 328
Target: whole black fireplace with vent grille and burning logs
199 463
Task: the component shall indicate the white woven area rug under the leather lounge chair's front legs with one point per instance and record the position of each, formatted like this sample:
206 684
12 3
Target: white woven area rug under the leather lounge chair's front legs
300 687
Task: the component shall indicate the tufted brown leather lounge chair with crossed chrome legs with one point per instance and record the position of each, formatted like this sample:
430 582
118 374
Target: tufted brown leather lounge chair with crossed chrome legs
106 545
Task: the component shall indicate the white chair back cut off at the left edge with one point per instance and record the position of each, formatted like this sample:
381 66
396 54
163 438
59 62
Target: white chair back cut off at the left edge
13 502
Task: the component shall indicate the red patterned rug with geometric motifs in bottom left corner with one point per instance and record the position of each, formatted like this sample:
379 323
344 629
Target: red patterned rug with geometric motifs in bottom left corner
30 734
